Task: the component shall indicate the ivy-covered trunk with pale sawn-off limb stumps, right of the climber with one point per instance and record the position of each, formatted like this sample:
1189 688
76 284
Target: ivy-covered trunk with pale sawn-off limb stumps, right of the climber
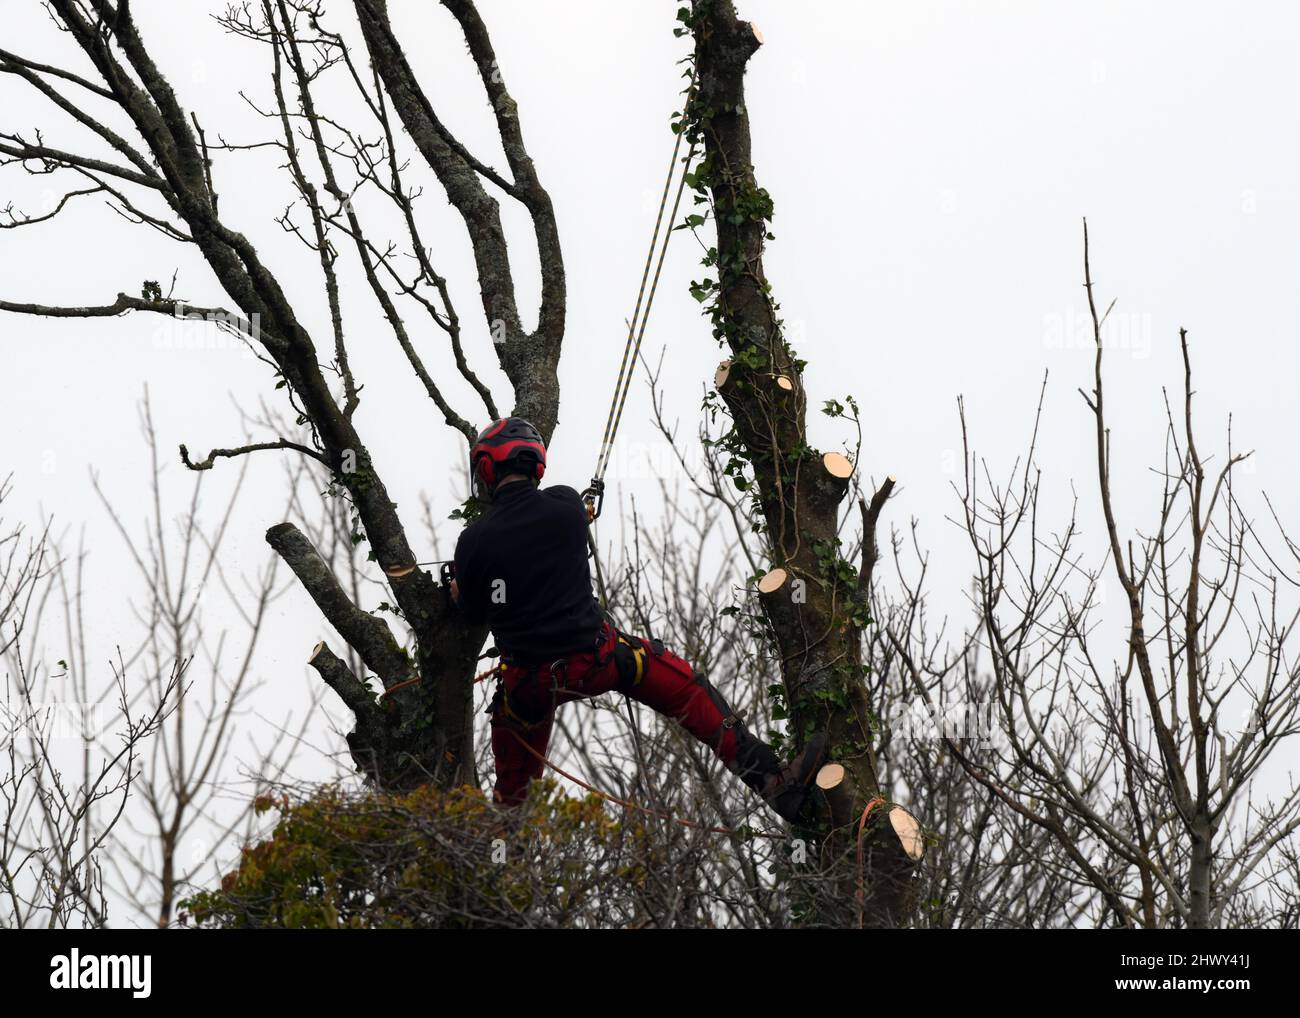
814 607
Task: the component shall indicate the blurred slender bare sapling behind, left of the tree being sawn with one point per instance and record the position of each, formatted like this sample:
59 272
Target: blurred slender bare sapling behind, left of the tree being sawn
196 792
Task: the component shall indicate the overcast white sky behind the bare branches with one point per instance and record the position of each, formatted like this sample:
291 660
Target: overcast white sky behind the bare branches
930 164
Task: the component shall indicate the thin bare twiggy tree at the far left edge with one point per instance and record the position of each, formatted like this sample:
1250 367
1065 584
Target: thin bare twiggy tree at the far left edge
72 751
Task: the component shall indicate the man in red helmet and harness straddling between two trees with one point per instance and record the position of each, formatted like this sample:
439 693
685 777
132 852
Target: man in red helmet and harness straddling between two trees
522 569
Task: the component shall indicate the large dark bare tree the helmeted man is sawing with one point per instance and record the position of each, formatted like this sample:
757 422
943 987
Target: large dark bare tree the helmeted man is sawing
164 174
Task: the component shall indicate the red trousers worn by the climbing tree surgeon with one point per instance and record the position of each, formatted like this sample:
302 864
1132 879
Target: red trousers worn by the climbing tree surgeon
527 698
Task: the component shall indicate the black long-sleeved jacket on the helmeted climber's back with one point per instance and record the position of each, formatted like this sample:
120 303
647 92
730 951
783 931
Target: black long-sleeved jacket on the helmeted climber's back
522 569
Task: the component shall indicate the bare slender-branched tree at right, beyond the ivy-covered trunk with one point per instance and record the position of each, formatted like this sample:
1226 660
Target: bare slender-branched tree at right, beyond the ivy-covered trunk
1147 764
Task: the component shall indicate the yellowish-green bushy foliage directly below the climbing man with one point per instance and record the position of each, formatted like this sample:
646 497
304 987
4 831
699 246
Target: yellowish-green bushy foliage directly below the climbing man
424 859
